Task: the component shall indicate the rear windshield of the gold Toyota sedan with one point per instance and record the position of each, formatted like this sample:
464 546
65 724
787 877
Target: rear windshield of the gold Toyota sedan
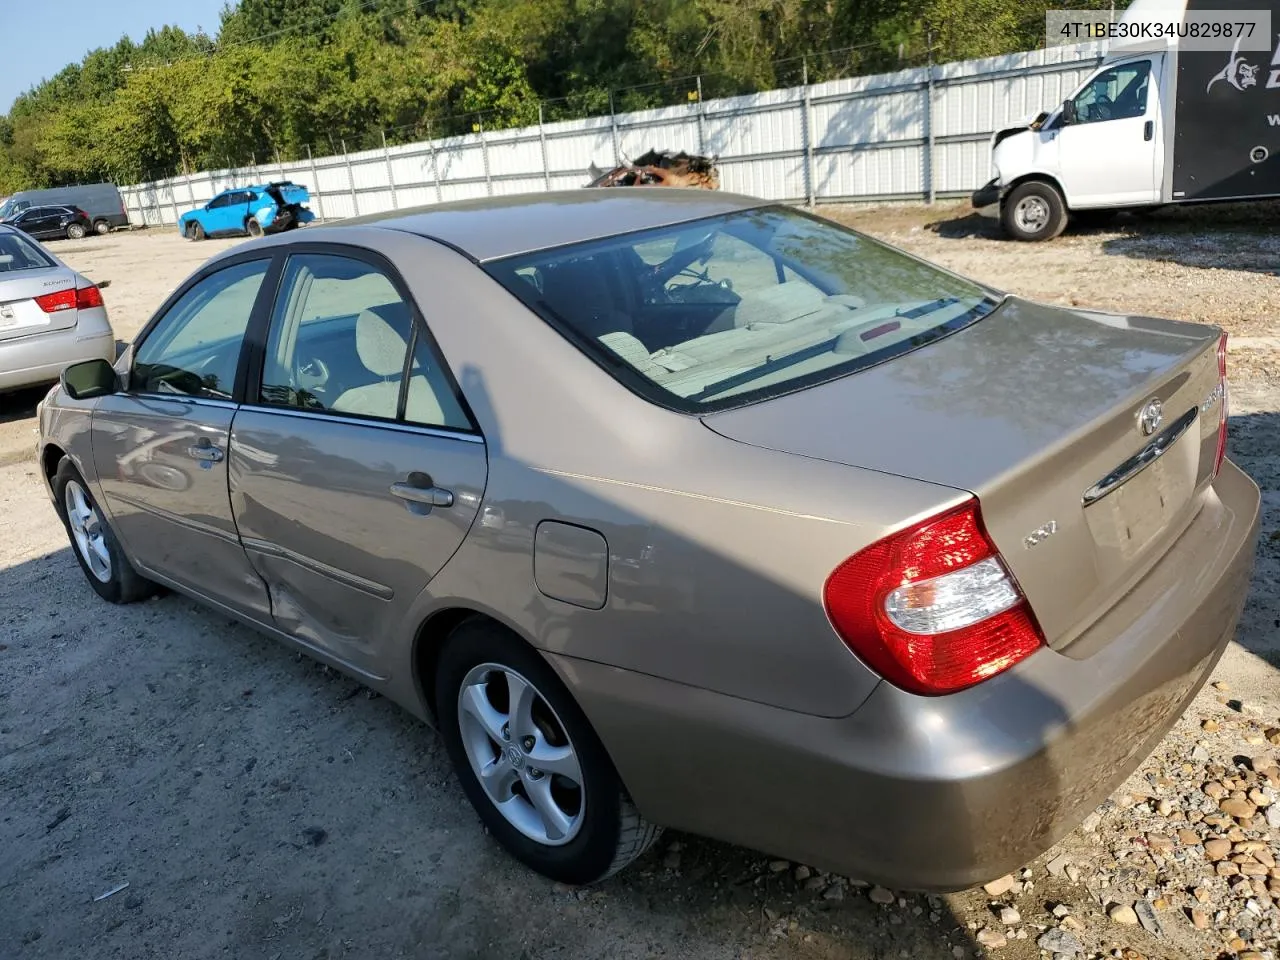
724 312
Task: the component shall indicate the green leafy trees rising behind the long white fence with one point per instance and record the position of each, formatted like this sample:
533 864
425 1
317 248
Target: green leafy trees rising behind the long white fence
287 76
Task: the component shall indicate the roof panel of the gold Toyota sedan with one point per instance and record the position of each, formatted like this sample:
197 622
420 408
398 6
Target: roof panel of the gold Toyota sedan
492 228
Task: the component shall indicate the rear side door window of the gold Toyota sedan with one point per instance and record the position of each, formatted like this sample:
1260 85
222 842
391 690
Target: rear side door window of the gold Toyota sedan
344 341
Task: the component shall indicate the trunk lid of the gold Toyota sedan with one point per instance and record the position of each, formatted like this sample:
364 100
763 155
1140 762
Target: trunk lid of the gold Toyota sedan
1037 412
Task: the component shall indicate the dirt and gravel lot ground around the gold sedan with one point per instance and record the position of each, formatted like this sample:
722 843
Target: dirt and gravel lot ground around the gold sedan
259 806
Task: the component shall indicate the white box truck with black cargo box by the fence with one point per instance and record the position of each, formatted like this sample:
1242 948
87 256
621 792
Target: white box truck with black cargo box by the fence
1148 129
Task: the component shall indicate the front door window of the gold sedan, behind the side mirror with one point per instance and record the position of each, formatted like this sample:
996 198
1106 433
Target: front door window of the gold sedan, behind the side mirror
195 349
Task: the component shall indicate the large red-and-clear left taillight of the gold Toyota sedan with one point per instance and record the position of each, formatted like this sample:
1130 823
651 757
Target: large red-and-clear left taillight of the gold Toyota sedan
934 609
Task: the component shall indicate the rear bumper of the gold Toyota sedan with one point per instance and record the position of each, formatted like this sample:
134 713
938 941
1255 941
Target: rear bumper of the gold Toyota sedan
940 793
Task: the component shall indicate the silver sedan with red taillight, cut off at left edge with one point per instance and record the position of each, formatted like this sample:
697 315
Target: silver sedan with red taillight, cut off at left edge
51 316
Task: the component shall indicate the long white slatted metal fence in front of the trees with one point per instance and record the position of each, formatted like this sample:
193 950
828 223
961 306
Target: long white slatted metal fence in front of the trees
913 135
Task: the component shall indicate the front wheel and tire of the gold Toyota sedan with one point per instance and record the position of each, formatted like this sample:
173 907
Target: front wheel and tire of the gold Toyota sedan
94 542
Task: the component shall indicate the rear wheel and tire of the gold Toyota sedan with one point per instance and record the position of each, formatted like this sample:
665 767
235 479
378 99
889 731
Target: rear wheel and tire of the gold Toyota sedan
531 764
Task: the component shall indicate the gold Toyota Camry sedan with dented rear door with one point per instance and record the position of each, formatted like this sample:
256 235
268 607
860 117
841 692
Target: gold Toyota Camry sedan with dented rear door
679 509
